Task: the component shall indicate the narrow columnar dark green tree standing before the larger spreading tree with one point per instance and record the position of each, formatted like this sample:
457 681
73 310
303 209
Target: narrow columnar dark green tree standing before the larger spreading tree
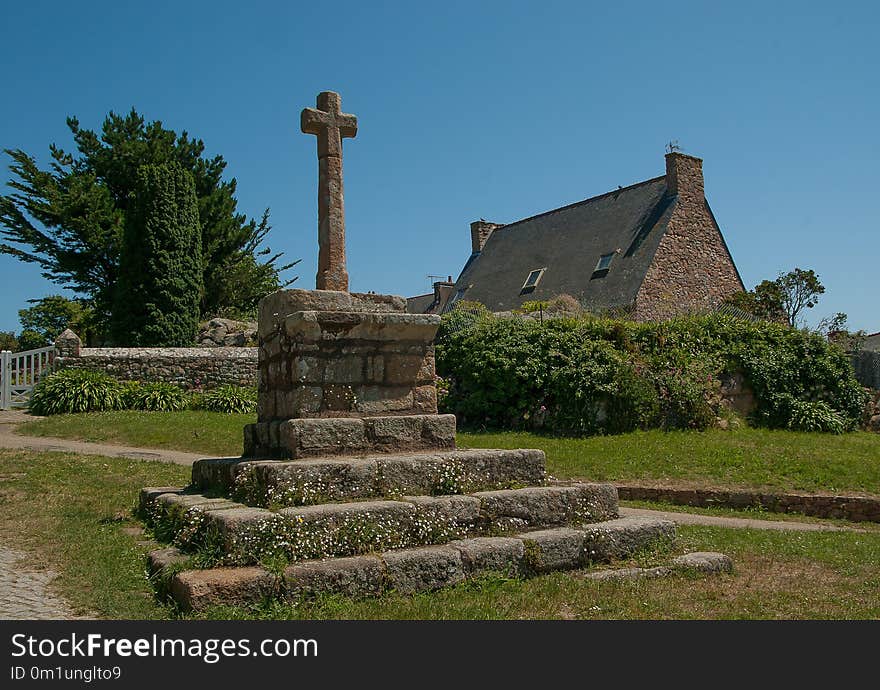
160 270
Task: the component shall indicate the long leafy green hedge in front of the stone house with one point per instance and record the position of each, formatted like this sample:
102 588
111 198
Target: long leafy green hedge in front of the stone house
606 376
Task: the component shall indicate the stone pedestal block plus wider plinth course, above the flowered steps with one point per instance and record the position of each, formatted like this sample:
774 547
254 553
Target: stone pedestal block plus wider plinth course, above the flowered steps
336 358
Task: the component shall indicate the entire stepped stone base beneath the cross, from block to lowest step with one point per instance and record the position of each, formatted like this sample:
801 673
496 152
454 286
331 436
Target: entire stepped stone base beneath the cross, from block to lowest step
327 478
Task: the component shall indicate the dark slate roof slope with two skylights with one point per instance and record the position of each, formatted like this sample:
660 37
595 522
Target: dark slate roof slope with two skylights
568 242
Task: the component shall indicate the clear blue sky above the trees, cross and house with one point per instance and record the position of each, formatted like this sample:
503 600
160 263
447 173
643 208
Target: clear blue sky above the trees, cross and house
494 110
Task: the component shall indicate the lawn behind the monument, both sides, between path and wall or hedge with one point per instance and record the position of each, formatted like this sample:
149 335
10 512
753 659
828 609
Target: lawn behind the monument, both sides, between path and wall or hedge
742 458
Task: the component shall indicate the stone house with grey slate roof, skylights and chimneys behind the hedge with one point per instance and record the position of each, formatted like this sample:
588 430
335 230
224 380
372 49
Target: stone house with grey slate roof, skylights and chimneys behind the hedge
651 250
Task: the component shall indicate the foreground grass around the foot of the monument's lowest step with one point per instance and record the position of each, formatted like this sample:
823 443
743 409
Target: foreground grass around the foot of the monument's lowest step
71 511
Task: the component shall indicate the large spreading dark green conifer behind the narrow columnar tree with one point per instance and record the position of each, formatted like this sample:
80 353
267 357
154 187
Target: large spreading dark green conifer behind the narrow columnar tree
69 219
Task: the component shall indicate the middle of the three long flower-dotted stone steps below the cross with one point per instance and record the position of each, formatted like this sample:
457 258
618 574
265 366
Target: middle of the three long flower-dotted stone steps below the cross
247 535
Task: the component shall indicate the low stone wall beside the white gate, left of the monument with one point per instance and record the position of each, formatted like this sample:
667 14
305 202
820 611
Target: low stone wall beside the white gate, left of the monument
188 367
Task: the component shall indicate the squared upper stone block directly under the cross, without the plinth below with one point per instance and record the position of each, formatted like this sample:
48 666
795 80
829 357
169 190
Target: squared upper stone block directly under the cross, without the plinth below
335 354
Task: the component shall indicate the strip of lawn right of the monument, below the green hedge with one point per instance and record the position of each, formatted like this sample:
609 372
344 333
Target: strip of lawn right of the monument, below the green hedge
755 458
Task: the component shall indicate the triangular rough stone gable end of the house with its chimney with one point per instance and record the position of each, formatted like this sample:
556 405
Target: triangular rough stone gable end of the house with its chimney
692 269
